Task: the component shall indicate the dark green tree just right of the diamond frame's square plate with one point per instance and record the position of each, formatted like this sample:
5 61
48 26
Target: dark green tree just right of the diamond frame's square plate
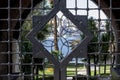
93 46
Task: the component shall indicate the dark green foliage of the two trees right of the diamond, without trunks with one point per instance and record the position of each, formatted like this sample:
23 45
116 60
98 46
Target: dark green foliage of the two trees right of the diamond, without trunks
103 38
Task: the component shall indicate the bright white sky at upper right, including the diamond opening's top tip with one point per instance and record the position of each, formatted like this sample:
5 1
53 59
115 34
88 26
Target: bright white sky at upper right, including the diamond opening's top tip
82 4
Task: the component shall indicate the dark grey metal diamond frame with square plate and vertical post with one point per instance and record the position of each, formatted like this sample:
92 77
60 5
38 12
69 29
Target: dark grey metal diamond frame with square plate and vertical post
40 51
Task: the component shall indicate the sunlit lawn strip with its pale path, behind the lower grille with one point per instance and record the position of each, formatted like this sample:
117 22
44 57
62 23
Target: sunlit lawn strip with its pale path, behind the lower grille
72 70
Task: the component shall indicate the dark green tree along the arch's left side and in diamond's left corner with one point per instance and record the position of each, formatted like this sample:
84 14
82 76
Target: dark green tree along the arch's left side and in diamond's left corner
26 46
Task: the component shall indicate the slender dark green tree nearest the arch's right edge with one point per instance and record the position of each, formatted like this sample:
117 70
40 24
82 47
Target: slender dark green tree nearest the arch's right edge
106 38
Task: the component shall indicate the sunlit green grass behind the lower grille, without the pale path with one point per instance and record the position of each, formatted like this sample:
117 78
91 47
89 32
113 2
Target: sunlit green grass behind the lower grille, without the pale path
71 71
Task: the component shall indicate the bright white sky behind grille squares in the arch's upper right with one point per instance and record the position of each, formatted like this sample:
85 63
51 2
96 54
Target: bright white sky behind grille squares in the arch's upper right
83 4
